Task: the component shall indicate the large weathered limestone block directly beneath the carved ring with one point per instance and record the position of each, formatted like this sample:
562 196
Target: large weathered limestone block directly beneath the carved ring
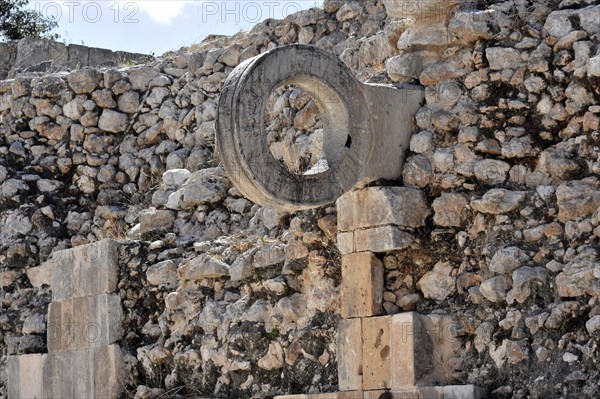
381 206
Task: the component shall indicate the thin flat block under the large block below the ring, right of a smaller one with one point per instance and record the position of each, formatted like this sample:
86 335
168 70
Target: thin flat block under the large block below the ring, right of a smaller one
381 239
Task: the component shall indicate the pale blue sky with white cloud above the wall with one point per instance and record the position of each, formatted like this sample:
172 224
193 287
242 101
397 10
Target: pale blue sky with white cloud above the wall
158 26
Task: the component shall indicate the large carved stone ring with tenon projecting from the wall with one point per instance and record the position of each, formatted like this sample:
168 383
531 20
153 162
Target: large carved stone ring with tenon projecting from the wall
367 128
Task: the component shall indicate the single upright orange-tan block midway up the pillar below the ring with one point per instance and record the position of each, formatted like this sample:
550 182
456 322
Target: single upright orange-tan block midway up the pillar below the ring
362 285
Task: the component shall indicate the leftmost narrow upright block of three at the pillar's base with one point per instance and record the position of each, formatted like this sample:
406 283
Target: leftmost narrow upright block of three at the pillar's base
349 355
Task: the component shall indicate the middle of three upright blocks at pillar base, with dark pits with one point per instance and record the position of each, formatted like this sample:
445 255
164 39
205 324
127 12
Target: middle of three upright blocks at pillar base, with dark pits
377 352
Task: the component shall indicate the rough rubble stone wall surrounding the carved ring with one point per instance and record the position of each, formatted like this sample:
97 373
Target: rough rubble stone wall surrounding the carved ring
224 298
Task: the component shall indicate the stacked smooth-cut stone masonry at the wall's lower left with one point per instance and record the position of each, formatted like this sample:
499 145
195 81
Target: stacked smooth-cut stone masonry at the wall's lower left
84 324
